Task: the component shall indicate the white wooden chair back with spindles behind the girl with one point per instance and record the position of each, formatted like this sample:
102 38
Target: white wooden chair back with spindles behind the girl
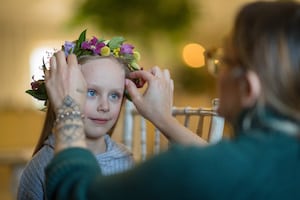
144 140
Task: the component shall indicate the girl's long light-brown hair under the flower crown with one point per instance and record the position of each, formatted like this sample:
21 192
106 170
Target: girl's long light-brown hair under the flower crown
50 114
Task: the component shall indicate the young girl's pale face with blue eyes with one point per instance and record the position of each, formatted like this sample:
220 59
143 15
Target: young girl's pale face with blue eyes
105 79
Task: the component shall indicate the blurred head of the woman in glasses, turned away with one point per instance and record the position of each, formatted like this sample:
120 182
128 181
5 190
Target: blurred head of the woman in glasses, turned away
262 56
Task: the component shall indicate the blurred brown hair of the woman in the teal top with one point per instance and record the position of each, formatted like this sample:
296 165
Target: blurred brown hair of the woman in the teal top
266 40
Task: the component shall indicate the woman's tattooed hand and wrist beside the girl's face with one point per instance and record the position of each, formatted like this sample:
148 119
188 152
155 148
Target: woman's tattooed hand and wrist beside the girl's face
67 97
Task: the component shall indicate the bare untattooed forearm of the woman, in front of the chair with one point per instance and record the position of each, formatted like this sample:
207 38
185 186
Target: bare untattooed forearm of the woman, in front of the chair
177 133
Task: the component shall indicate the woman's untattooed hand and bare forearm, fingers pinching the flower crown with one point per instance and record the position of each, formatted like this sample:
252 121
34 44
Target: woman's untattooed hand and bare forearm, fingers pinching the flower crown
155 104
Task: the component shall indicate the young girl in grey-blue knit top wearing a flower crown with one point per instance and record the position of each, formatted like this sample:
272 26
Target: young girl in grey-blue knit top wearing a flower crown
105 79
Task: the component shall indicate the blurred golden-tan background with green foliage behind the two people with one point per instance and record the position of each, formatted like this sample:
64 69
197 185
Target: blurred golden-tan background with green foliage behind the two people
171 34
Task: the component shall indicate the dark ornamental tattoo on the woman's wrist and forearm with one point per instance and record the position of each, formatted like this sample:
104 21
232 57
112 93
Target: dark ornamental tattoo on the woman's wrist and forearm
69 123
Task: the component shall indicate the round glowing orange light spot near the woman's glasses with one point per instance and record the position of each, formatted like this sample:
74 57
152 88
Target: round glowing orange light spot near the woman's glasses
193 55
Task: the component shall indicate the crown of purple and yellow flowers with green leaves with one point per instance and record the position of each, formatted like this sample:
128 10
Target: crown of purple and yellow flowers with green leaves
81 47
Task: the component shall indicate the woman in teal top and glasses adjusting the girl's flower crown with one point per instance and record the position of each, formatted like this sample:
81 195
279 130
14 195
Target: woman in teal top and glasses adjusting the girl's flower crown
259 92
